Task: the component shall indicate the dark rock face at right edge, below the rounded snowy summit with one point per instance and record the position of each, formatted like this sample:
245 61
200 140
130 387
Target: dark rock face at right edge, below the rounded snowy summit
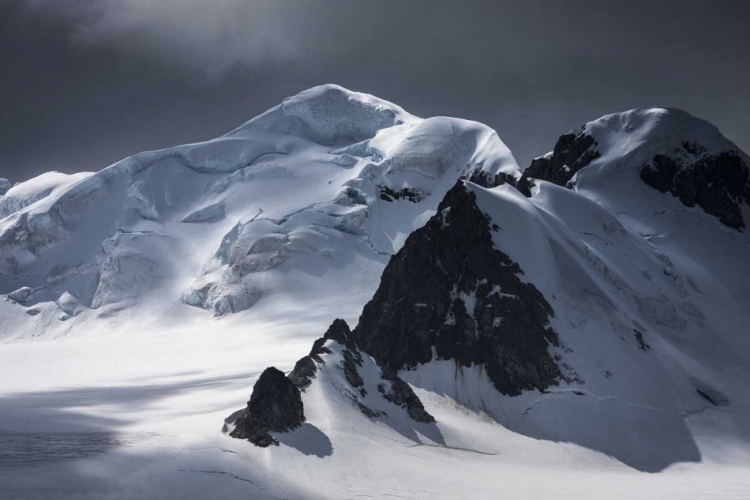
717 183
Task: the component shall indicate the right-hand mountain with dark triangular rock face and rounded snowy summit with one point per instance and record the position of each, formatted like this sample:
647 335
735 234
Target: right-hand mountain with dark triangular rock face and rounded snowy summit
597 309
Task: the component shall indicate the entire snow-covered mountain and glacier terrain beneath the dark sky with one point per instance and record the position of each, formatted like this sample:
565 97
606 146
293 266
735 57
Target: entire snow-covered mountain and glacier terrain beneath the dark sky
341 300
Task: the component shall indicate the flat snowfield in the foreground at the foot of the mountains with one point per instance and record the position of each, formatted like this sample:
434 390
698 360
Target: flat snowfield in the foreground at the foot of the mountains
152 402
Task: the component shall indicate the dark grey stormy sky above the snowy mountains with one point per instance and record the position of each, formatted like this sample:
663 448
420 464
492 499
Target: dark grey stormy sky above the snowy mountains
84 83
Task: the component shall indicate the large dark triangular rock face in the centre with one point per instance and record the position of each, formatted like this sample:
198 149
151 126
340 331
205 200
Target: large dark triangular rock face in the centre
449 290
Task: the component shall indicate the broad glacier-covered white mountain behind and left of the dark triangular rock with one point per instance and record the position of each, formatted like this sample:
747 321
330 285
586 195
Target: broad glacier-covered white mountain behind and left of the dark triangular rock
310 197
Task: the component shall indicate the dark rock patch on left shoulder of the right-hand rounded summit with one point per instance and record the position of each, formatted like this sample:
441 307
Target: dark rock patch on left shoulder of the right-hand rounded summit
572 152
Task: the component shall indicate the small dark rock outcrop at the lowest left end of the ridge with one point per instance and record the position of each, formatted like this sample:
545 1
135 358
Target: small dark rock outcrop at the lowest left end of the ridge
275 405
